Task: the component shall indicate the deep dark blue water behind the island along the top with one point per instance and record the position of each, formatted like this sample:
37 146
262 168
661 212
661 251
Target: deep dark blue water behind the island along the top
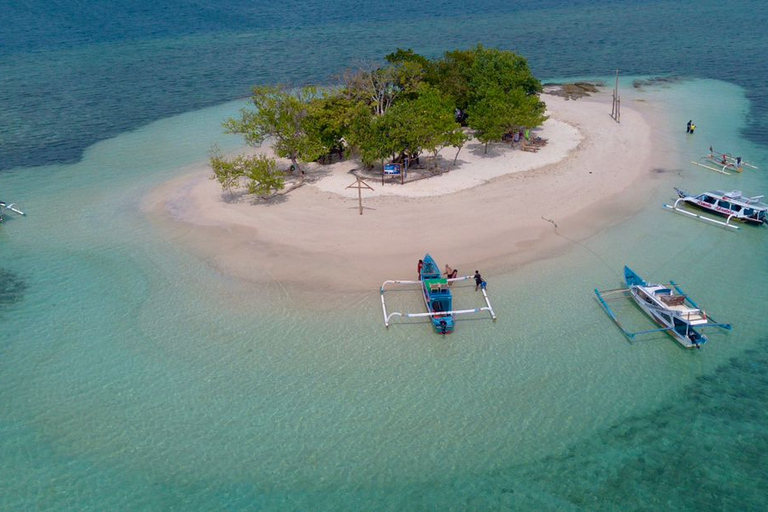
72 74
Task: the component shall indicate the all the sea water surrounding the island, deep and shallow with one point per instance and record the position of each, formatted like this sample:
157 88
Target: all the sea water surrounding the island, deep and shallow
135 377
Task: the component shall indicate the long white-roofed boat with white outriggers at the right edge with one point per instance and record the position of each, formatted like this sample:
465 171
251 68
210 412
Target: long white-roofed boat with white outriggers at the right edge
732 205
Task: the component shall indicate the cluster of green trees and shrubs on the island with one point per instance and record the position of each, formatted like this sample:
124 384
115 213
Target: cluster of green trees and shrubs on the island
407 106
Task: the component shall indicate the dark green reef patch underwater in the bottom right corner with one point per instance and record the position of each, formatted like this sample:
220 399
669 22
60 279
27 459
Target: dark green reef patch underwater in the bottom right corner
707 450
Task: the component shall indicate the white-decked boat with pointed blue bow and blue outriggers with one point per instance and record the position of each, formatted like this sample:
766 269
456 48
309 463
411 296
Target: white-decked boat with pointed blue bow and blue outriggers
667 305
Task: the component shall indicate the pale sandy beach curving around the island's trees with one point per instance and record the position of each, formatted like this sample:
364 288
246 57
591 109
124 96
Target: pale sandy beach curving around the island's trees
492 212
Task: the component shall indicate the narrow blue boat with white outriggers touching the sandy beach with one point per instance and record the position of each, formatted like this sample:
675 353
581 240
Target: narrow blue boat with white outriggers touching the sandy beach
437 298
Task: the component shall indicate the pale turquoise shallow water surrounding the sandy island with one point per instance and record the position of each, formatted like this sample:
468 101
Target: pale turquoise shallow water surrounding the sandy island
136 377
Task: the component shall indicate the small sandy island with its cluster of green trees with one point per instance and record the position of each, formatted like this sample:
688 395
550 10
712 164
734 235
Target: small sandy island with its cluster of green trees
283 216
